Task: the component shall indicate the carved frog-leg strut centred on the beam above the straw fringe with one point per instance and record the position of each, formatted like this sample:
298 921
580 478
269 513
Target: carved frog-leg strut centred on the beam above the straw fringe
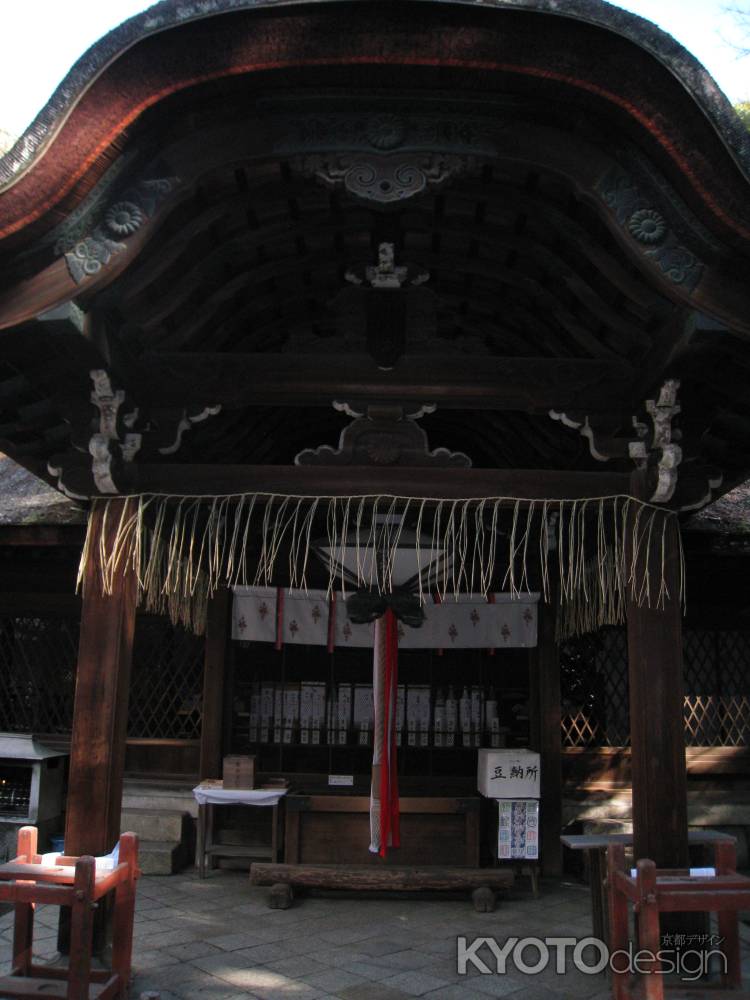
384 435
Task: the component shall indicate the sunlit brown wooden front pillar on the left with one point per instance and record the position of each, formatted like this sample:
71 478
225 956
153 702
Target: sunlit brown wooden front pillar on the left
100 711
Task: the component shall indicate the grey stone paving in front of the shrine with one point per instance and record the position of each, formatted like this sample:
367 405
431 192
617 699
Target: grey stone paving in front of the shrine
217 940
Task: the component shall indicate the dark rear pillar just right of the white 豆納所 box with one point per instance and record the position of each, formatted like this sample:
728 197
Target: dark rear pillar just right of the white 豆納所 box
544 716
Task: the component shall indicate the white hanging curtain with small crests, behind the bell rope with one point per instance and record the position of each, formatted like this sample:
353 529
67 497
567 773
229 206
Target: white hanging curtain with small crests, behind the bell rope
265 614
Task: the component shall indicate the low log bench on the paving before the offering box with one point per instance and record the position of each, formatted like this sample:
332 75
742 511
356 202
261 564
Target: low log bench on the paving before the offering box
483 883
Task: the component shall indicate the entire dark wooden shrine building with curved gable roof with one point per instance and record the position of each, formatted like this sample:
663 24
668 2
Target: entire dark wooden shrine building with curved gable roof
421 327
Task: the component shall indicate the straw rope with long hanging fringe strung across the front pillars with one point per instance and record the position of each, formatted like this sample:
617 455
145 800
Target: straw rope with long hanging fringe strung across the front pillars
600 552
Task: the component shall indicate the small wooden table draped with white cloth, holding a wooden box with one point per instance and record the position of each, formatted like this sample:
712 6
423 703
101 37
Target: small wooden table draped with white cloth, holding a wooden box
210 796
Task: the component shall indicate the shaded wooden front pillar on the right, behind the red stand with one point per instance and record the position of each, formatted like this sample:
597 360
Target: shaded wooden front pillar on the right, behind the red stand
657 729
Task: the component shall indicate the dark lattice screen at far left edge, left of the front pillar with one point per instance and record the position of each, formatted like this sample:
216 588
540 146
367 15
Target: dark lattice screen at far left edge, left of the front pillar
37 673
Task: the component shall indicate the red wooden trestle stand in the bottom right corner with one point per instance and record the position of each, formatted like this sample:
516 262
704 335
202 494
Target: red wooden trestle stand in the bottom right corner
654 891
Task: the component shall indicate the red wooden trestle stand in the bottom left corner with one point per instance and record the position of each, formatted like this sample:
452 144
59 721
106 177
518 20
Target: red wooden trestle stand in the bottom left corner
72 882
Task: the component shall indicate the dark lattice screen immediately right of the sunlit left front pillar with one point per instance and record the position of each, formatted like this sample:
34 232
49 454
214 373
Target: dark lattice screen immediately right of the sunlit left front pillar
167 682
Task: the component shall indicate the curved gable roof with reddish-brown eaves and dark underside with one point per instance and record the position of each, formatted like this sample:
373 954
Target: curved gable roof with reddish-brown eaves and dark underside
572 181
